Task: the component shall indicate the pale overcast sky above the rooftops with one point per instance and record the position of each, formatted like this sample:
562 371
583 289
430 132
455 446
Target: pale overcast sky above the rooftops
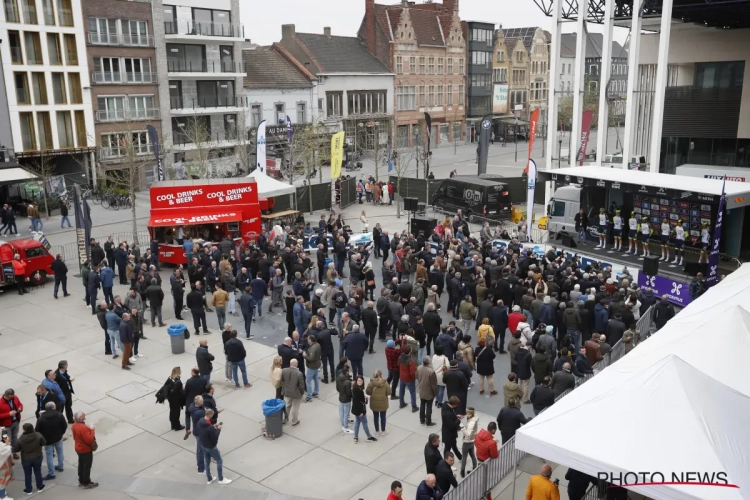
263 19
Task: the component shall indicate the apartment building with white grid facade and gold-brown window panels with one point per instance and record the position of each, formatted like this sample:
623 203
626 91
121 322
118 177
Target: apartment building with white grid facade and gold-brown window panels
47 84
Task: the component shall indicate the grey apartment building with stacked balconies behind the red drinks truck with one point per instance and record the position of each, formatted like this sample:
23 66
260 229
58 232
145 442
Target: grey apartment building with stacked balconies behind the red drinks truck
200 73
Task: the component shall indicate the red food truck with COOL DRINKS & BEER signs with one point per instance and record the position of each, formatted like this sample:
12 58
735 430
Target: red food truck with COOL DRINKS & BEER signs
204 211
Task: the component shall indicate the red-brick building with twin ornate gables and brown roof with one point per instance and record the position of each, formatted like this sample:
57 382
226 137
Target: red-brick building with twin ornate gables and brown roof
424 45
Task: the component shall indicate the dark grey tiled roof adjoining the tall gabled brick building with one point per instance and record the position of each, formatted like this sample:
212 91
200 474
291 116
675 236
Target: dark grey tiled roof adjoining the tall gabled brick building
340 54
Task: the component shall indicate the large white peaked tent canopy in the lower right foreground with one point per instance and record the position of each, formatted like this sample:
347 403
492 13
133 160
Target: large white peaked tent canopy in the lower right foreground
675 404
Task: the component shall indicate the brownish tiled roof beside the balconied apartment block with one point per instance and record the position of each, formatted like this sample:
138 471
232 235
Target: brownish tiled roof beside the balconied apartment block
267 68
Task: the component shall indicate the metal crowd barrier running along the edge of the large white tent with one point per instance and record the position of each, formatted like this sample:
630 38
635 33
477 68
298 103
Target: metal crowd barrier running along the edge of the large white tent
482 480
